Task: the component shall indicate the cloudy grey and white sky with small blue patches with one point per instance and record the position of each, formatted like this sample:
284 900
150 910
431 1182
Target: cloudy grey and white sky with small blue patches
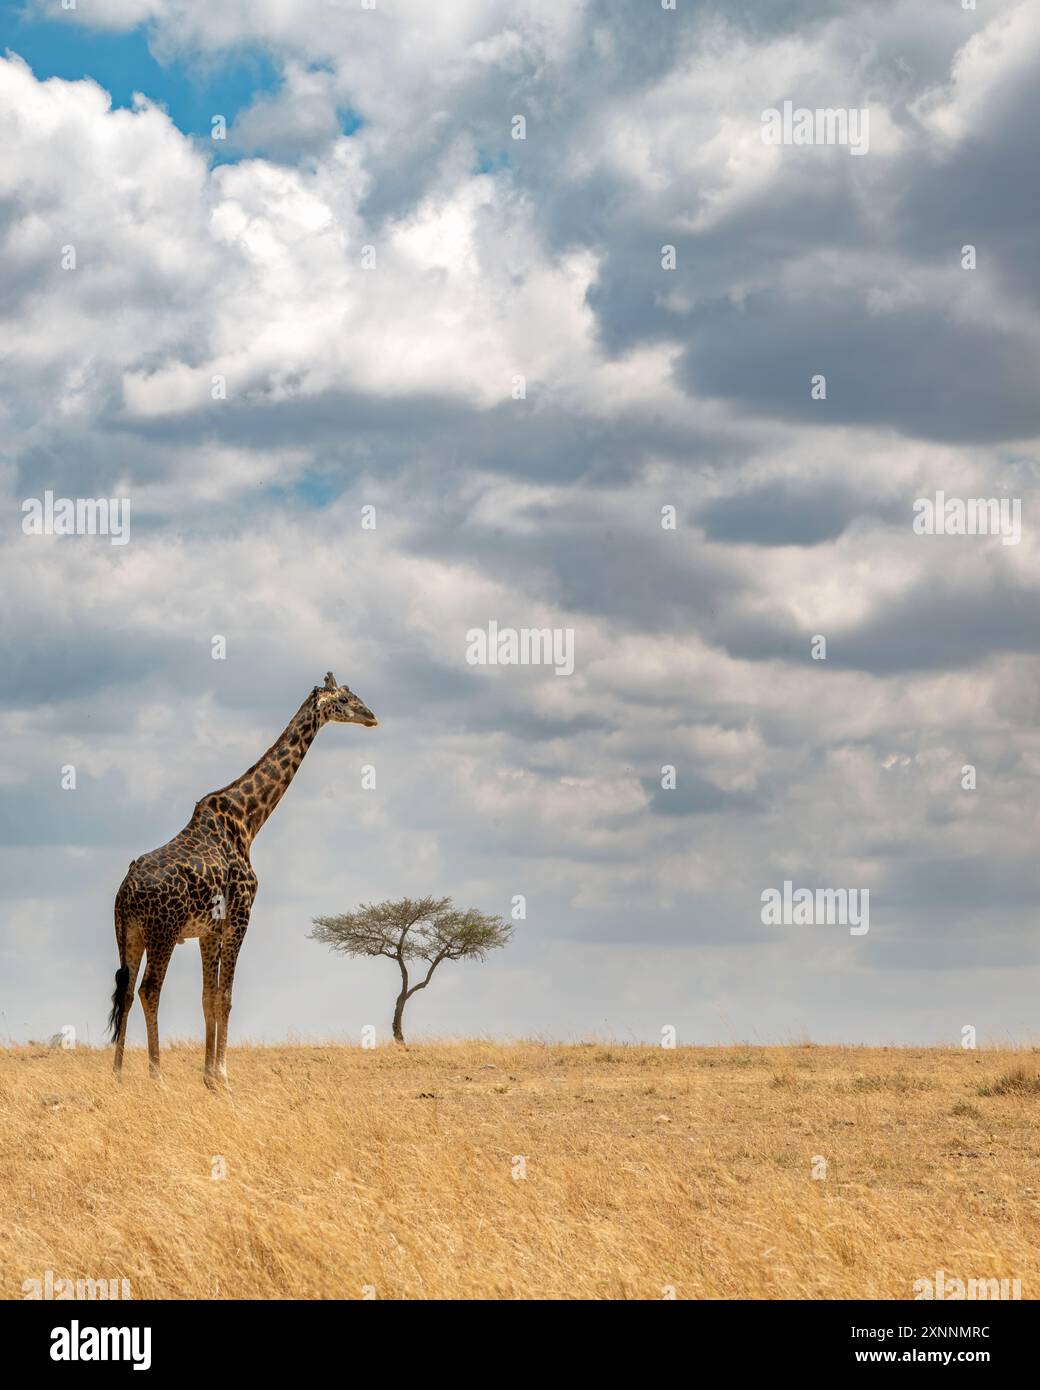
575 379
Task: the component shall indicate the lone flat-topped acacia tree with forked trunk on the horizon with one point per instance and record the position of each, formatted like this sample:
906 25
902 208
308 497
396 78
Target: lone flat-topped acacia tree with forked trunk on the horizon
412 931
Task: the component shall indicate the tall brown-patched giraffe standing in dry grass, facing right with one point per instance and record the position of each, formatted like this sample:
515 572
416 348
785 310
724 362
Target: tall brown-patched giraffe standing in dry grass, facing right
201 885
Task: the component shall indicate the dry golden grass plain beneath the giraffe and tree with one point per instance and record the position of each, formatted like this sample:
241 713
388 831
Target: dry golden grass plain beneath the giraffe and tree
646 1170
